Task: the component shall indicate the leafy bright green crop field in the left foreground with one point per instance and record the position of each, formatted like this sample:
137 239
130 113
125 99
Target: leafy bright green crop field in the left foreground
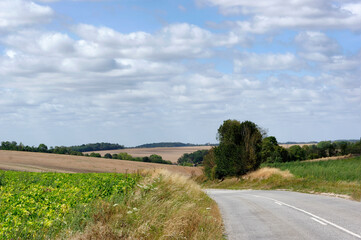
36 205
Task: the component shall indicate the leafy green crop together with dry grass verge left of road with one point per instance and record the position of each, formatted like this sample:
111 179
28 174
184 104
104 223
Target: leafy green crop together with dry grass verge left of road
159 205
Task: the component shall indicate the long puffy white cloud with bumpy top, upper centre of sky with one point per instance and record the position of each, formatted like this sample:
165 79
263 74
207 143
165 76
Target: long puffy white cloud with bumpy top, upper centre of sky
171 42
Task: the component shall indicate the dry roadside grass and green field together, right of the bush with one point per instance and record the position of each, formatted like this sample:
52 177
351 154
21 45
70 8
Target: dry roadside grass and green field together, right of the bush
340 177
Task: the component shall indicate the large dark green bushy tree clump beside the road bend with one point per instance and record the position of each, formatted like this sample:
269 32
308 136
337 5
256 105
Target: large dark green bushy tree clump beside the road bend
238 151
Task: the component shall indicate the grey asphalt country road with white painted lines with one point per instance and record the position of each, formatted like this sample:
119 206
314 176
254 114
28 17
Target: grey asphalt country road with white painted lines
252 214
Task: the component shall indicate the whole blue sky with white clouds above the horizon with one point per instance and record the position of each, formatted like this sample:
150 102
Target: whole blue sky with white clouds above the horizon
140 71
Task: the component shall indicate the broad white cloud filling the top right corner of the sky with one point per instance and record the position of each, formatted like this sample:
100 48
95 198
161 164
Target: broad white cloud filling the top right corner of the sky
269 15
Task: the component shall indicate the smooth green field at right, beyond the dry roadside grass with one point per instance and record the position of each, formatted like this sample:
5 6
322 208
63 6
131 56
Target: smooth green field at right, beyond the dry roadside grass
348 170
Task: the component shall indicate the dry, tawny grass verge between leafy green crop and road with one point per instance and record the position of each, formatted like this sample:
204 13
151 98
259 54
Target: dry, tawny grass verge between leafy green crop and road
164 206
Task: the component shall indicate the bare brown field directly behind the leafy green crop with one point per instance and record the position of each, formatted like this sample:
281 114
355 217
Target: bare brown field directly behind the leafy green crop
44 162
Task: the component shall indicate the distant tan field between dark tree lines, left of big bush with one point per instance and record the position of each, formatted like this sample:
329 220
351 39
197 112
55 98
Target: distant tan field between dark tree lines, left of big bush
168 153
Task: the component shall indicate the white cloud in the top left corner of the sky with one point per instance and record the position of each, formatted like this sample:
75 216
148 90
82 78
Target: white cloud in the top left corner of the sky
21 13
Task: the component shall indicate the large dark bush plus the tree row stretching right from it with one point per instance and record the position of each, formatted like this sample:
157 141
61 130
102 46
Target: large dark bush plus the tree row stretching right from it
243 147
